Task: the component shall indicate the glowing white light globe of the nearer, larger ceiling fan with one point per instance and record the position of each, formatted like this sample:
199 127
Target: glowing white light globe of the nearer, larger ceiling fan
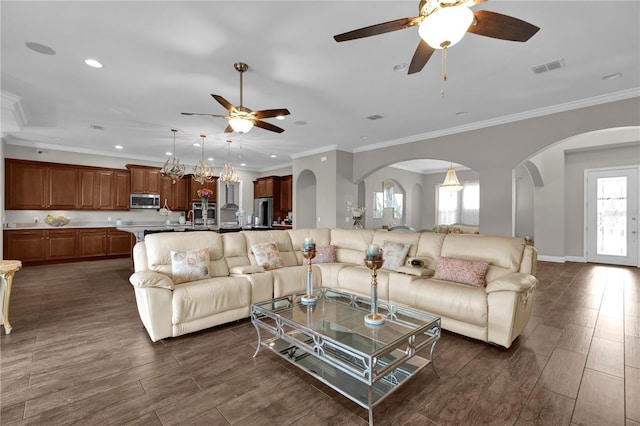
446 26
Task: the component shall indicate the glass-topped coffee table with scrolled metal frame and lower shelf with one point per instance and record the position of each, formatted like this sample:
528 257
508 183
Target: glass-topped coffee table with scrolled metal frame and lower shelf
330 341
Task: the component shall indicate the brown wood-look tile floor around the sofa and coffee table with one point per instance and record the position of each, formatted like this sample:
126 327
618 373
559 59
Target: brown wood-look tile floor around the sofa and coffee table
78 354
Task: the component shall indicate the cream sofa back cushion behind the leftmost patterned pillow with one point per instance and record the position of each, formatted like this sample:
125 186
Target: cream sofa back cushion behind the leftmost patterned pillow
160 245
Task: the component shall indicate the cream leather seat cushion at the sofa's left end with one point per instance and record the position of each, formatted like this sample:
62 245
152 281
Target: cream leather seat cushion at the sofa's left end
199 299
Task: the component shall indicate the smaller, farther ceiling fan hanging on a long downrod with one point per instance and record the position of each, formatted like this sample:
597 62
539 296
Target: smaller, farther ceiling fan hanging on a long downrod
241 119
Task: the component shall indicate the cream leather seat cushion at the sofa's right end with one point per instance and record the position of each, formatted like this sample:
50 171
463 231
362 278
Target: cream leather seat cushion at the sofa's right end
452 300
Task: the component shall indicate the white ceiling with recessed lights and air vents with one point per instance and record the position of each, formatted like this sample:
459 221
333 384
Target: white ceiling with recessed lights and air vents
163 58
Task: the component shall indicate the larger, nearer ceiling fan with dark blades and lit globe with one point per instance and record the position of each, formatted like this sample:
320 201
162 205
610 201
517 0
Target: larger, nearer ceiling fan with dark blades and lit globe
442 23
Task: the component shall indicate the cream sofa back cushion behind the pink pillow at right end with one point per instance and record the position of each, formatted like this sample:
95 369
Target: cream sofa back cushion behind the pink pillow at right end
504 254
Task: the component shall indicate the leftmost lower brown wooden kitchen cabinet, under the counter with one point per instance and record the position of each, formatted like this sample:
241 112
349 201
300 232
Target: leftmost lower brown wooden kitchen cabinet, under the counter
41 245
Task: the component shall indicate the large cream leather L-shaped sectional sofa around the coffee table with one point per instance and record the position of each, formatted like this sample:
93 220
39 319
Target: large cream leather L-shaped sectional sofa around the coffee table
496 312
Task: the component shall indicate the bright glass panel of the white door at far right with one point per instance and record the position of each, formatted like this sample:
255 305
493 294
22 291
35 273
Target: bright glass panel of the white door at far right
611 211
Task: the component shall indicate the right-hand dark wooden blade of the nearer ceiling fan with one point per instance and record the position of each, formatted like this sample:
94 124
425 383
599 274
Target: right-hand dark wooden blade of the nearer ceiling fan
496 25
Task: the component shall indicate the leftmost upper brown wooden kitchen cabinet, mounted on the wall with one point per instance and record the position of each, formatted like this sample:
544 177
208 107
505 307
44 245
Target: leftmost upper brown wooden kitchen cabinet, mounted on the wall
31 185
